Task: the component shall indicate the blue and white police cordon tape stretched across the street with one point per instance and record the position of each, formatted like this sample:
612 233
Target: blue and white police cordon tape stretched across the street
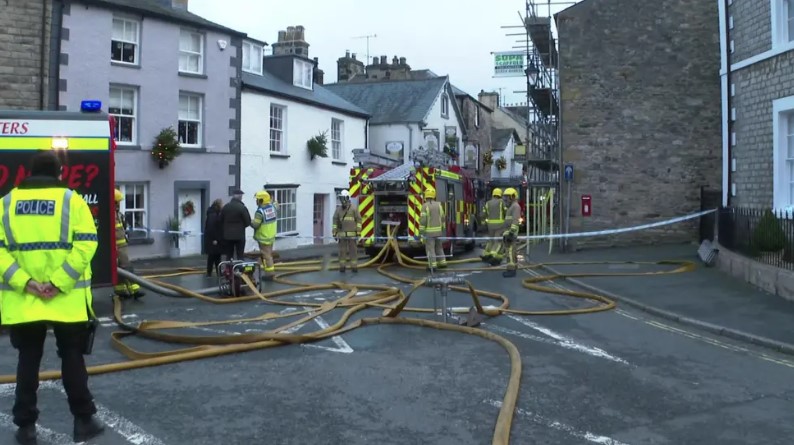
477 238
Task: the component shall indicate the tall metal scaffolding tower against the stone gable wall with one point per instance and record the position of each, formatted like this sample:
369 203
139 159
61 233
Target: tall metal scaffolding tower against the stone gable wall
543 160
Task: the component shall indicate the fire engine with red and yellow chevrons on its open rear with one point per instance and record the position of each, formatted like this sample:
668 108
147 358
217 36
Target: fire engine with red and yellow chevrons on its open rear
394 197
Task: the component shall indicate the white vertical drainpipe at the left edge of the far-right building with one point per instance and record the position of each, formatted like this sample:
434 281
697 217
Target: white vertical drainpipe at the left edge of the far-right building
725 80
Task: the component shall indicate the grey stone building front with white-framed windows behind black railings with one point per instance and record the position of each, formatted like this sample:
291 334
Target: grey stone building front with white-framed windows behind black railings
758 101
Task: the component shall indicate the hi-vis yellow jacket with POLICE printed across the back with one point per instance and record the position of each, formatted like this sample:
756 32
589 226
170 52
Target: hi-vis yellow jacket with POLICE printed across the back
47 233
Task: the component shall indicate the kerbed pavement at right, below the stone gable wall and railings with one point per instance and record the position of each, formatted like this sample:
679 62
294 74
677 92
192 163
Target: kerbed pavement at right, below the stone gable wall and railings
706 298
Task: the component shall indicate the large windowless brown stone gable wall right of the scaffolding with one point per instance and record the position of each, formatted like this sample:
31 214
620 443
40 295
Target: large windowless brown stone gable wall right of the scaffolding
640 115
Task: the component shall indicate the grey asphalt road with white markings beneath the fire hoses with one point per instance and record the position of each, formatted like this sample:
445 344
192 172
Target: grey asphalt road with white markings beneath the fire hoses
620 377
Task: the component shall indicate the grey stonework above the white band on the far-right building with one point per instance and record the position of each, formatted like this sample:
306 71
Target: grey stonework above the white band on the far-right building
752 28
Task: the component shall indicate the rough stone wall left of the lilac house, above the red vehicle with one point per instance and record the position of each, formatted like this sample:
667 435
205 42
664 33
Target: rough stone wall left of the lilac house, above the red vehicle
21 46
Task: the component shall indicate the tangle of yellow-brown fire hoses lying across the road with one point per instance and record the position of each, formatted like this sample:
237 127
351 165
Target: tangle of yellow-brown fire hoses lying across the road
392 300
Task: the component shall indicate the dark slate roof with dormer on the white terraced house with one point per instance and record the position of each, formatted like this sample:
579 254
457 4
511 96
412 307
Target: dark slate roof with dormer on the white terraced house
320 96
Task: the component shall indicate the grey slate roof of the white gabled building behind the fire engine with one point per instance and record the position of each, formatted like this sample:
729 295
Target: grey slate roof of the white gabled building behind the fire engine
395 101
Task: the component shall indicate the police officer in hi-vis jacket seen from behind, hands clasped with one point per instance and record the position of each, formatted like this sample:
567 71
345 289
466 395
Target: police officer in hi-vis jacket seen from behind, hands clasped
47 241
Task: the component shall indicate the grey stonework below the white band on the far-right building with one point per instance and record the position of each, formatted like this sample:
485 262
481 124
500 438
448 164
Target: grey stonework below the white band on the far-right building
756 86
